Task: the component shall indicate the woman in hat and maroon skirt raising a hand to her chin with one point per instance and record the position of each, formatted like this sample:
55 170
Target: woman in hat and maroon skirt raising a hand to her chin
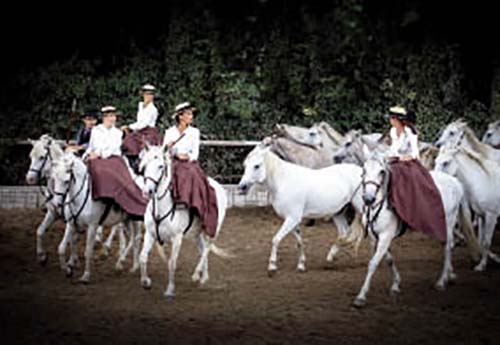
190 186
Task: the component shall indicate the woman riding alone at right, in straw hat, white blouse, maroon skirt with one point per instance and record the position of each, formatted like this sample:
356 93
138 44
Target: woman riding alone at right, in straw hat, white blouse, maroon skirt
413 193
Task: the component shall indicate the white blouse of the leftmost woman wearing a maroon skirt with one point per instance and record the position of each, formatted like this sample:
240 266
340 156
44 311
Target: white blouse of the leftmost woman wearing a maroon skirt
105 142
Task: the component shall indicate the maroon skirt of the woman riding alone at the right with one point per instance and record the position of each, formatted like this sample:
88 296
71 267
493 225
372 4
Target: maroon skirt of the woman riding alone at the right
416 199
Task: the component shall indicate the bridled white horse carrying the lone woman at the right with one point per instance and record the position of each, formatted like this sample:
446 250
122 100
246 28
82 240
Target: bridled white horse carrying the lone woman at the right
383 224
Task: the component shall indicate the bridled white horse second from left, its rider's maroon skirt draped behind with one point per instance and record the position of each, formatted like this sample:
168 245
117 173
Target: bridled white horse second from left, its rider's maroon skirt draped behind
73 195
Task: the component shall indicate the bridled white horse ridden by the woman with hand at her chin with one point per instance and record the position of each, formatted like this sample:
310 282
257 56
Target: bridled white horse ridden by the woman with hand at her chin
164 222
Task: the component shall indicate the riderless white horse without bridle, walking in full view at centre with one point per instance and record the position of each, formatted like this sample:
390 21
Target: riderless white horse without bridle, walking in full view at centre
298 192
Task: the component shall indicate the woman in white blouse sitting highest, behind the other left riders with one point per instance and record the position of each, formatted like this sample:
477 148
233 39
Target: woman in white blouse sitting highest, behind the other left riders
144 129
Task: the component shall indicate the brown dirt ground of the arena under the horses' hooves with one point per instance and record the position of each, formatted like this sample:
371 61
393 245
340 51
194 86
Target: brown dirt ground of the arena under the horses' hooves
240 303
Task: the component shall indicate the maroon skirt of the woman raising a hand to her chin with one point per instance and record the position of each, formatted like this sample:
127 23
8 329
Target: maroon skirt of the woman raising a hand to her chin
191 188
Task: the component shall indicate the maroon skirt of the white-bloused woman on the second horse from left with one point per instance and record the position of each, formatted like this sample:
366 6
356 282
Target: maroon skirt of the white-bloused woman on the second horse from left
111 180
